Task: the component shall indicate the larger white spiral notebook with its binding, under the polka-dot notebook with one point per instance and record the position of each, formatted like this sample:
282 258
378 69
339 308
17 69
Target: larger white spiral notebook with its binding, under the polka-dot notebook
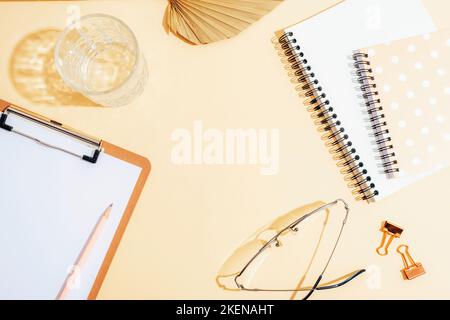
318 55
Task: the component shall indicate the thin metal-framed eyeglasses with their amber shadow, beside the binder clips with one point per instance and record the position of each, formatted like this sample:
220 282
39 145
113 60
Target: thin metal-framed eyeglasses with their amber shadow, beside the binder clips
246 256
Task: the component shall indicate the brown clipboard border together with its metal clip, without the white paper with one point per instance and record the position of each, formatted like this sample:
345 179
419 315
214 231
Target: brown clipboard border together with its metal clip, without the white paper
99 147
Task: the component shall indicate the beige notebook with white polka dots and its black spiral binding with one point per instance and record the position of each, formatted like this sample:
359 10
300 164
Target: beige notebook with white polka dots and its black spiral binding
405 87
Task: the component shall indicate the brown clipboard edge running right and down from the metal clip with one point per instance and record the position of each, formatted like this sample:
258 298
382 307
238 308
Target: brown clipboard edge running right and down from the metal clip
143 163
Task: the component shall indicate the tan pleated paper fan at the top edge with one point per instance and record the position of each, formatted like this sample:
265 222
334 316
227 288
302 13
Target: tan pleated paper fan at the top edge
206 21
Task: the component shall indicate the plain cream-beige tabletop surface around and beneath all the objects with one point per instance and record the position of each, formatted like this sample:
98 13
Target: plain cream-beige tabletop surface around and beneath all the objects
189 218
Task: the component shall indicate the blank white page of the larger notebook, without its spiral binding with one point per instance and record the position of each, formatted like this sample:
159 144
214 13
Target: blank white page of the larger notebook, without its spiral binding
328 40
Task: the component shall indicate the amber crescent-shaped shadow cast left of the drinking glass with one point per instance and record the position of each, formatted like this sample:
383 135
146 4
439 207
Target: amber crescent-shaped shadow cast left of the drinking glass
33 72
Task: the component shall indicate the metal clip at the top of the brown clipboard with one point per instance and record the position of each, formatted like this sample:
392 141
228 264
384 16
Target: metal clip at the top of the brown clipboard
53 125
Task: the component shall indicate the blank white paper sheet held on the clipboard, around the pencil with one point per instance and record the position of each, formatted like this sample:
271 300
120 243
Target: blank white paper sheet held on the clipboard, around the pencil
50 203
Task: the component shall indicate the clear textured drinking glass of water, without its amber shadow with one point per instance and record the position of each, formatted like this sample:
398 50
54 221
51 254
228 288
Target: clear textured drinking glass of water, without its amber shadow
98 55
